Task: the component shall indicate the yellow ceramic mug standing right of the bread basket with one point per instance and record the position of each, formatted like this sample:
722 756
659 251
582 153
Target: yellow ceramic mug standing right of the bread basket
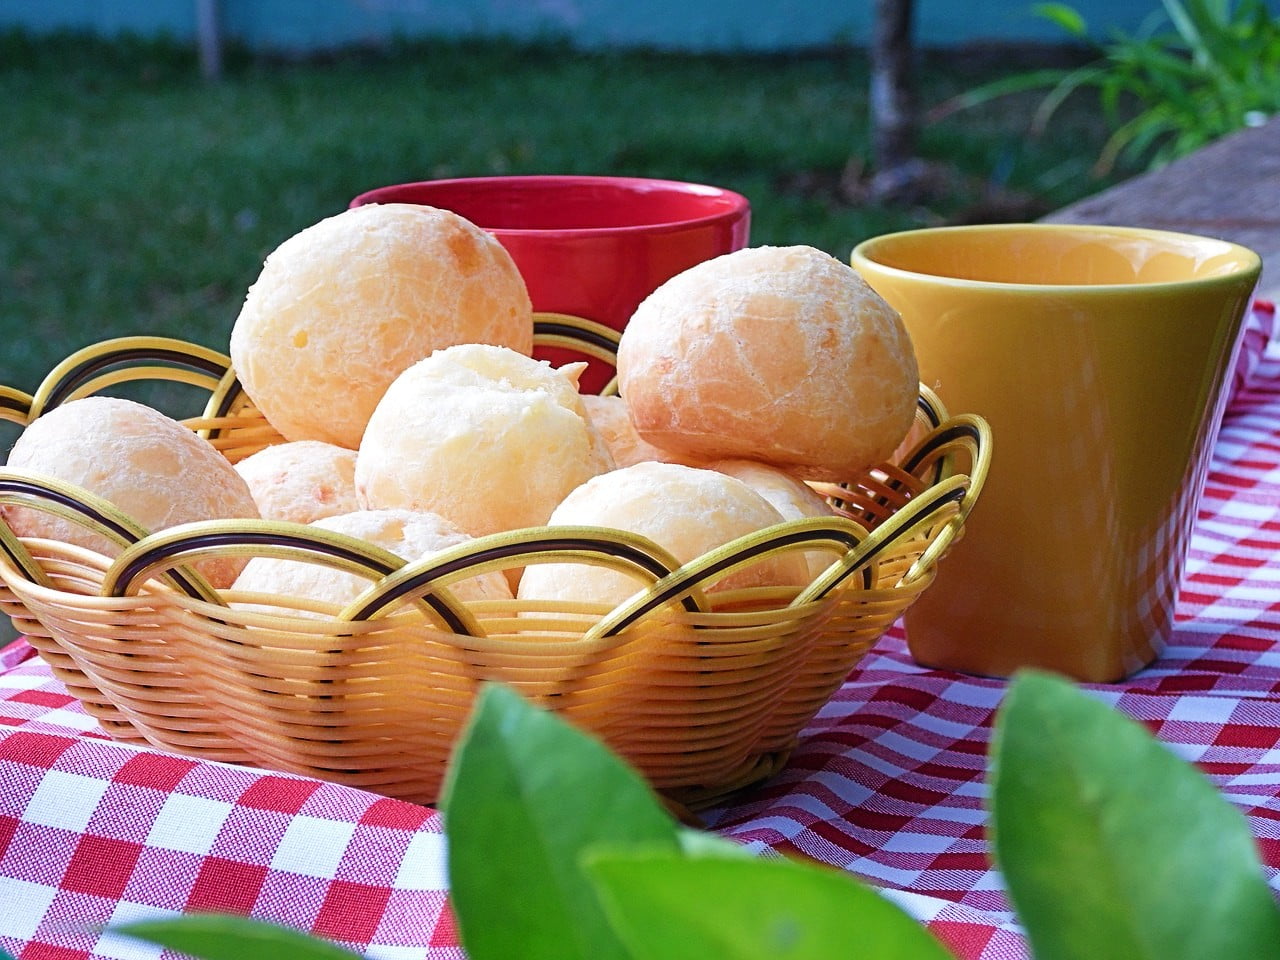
1101 358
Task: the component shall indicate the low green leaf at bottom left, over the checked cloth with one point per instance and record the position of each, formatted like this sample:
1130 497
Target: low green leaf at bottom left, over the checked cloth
227 938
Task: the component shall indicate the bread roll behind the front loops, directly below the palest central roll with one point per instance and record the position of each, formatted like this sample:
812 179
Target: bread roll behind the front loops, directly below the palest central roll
409 534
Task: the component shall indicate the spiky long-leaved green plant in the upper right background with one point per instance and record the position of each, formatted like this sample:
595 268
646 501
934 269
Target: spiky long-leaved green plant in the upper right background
1201 70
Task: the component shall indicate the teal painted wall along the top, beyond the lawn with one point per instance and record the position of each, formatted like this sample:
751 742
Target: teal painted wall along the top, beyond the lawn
300 26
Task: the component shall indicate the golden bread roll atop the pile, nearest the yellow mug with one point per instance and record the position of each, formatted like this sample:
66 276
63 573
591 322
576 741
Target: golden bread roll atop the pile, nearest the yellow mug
783 355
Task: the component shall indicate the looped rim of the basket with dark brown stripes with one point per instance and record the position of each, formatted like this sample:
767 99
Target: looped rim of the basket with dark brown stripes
170 554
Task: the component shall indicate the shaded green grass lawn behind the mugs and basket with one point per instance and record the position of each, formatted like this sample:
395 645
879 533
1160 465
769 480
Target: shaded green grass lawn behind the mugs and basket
139 199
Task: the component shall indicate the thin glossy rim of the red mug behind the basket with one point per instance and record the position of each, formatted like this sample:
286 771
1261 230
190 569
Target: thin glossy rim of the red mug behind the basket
735 209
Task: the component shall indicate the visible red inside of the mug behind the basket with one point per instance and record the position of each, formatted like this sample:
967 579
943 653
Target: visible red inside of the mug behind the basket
578 204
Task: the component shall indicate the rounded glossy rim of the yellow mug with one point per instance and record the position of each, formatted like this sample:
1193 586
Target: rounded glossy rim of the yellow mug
1250 263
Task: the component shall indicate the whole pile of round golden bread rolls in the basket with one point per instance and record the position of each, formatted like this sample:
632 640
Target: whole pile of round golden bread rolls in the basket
391 348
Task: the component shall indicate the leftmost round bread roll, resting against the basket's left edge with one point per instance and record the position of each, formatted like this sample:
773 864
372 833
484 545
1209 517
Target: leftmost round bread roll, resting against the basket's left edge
148 465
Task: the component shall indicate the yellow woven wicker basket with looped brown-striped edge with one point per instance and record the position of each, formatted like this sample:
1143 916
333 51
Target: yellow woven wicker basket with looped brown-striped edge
705 692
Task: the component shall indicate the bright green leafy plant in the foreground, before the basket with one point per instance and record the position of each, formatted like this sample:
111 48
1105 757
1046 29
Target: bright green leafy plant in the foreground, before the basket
1110 847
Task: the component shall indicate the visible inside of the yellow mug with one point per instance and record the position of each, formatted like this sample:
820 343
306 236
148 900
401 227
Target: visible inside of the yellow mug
1057 255
